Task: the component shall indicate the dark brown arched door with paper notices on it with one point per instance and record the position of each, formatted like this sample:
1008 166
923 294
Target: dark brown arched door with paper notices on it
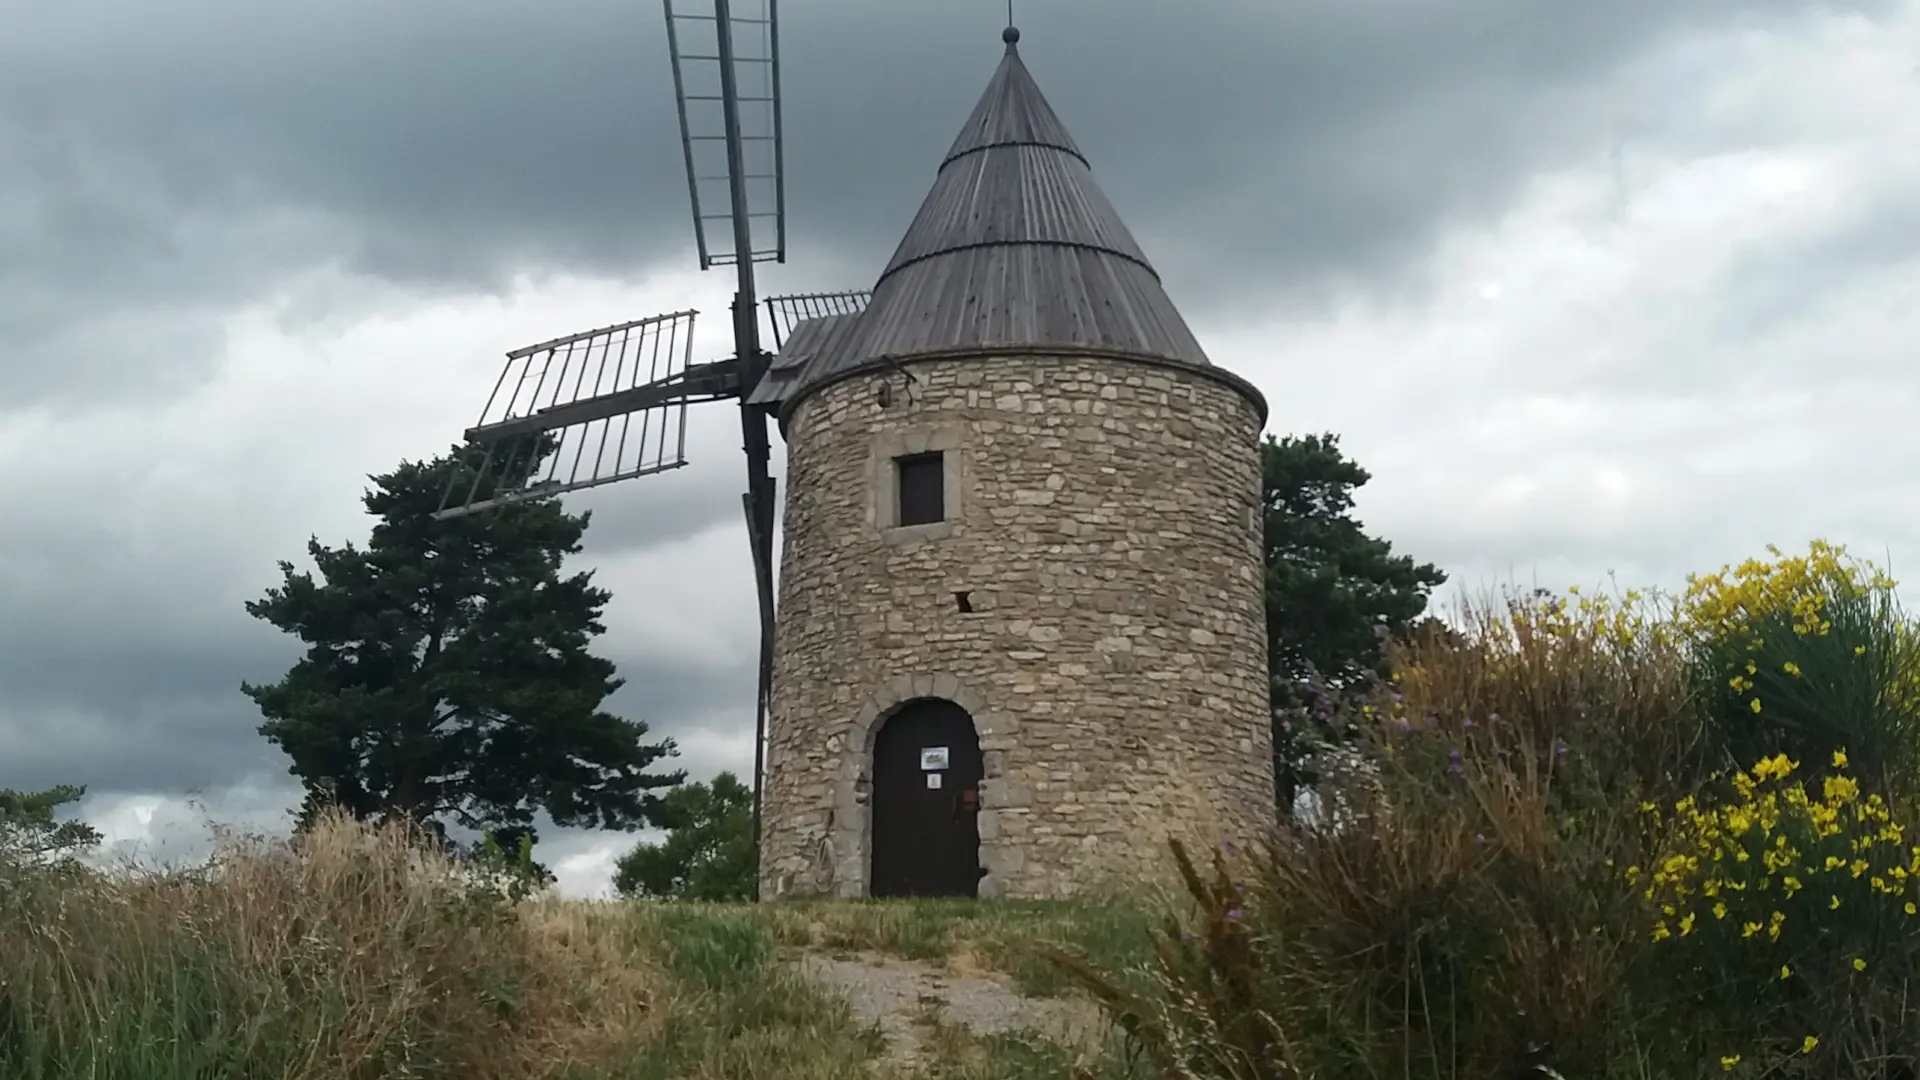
926 802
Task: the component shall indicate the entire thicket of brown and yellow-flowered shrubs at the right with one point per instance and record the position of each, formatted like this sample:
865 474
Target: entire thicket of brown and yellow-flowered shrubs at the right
1539 854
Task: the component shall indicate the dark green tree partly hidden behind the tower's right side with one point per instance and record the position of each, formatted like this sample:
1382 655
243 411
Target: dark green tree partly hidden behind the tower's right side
1335 595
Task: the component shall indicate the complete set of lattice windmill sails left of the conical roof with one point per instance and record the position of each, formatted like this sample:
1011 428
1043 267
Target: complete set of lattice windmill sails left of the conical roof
610 405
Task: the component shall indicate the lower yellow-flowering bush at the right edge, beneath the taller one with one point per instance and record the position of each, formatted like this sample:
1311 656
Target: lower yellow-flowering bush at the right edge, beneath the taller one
1787 900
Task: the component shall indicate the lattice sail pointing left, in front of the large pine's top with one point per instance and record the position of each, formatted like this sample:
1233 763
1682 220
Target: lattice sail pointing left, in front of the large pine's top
588 410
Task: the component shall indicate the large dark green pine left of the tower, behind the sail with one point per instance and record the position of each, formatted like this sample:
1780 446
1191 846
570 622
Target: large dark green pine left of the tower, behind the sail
448 677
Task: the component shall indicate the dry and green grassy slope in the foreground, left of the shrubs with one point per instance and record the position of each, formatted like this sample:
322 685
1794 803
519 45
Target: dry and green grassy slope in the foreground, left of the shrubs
360 958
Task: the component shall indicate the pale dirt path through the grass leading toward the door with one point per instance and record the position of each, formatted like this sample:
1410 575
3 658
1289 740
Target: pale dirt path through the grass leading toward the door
896 994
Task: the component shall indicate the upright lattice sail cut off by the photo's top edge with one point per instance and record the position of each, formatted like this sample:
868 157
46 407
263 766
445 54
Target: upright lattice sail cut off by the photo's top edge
702 76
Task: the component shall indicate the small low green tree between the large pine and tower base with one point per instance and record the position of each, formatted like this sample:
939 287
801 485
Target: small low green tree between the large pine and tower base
708 852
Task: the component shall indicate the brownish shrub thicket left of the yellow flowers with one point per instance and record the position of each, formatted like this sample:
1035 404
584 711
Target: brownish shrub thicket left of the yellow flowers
1456 912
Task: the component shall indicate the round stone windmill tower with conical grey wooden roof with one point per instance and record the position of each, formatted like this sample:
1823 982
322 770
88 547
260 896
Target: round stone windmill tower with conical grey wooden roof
1020 629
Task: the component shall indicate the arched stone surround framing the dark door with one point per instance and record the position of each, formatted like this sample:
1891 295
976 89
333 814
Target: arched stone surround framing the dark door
853 798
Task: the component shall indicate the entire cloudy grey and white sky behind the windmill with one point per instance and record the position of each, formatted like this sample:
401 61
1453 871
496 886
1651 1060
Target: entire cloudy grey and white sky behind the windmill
1625 287
